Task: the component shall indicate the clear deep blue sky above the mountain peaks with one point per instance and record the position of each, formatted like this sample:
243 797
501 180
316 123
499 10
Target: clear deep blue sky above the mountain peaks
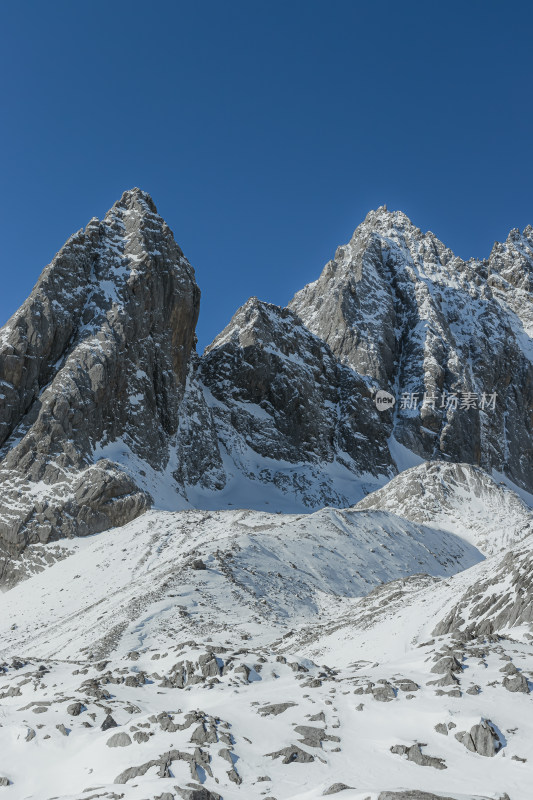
263 130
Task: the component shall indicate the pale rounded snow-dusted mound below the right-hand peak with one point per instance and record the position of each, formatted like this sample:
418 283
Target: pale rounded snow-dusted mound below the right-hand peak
458 498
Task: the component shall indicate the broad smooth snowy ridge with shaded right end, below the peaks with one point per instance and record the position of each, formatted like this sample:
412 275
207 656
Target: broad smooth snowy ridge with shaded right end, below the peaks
264 571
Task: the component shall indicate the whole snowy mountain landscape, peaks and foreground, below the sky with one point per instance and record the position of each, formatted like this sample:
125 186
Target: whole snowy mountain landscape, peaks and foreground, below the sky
229 575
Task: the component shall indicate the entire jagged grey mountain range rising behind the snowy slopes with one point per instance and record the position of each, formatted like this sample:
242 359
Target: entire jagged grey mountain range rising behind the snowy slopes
106 409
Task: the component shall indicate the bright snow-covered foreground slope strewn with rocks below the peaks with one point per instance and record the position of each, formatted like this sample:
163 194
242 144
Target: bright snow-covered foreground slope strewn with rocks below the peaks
266 674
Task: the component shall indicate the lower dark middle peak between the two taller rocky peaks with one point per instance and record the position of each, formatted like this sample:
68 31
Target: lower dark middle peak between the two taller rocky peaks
277 392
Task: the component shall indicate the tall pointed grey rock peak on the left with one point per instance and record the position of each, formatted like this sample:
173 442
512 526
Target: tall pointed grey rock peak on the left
98 354
